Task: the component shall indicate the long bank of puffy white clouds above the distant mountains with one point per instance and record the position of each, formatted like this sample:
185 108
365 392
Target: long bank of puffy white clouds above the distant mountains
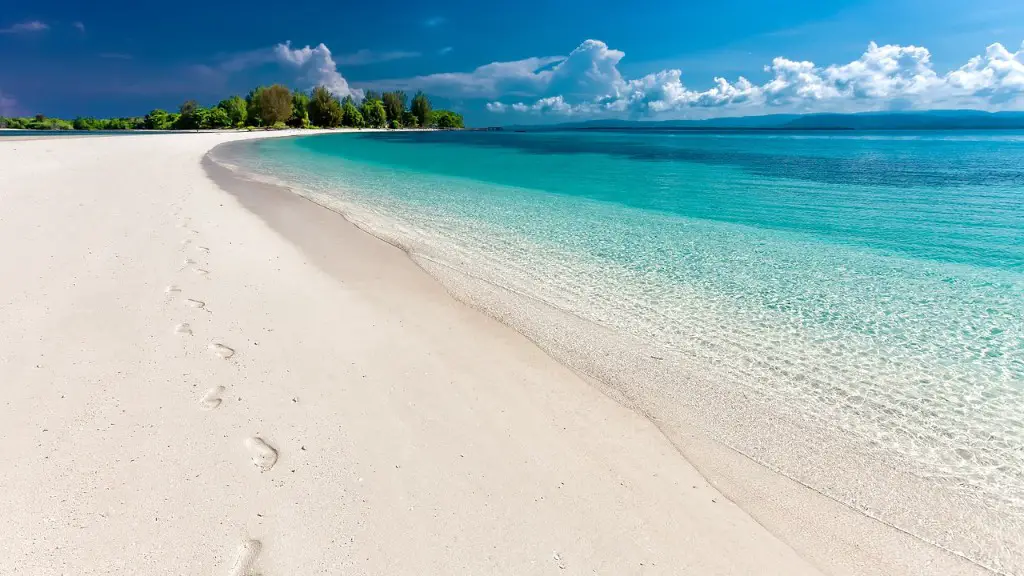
888 77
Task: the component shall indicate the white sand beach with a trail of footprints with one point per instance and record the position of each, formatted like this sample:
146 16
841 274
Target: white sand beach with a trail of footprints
198 385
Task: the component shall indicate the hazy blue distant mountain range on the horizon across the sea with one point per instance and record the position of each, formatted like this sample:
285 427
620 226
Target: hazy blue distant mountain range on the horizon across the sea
930 120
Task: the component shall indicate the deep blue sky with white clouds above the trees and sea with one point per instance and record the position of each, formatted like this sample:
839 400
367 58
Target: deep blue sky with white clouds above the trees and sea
532 62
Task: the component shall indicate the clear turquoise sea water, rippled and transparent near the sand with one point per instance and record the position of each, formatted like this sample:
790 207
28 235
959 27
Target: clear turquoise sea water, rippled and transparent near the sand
868 285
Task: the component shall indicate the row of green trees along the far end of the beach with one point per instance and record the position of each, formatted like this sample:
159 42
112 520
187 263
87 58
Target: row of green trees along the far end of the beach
271 107
